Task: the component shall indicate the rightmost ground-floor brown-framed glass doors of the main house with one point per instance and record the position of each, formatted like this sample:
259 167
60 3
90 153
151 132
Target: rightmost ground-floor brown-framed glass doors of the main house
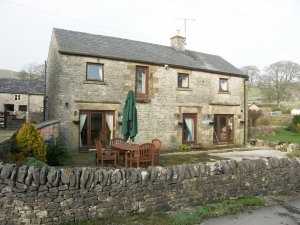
223 129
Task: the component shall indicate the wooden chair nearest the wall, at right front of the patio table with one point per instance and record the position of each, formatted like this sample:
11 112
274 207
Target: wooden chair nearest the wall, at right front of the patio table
145 154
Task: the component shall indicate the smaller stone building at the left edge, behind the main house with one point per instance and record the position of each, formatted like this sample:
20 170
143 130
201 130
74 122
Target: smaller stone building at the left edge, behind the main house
22 97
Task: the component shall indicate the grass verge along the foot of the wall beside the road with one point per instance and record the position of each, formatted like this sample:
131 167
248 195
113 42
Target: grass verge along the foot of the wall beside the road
201 213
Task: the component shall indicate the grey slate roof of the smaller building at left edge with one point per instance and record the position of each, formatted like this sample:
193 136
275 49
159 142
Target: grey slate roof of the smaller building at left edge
17 86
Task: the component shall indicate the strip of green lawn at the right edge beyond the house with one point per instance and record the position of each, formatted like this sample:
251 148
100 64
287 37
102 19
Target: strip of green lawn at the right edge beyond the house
282 136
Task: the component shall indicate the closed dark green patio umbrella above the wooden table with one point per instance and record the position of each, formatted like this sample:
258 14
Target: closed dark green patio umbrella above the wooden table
129 120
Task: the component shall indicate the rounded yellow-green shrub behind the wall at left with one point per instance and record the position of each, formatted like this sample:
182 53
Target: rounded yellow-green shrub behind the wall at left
30 142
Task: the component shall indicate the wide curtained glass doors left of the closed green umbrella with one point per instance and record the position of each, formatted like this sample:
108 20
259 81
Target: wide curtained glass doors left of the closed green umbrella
95 125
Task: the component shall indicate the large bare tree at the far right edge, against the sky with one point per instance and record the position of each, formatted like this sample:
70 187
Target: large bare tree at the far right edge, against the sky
278 80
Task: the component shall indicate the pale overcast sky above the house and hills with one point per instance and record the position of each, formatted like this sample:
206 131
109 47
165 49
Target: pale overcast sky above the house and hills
243 32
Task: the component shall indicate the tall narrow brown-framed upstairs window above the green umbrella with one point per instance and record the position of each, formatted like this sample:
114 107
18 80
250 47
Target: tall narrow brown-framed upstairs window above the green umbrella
141 80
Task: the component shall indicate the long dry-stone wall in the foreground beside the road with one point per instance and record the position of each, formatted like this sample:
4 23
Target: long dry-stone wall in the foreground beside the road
51 195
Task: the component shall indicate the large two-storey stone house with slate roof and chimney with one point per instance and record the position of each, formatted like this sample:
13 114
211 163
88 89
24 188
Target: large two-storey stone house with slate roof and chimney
183 96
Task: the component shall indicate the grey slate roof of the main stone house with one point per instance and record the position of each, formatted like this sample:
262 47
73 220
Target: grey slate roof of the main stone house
84 44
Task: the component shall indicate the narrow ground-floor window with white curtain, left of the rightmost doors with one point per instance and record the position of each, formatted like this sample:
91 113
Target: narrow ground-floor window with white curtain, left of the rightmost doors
189 131
